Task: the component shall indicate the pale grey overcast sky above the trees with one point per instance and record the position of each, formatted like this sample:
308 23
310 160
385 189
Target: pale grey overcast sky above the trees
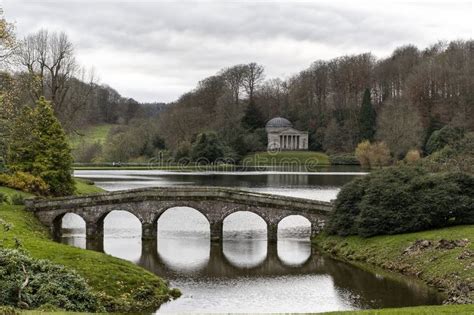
157 50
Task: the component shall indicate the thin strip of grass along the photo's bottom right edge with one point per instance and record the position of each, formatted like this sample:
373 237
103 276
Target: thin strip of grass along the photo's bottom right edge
418 310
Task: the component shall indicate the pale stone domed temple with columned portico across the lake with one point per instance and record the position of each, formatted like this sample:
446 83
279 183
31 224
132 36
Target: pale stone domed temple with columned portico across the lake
282 135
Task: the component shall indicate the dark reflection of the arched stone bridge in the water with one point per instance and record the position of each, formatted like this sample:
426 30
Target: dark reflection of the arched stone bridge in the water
225 259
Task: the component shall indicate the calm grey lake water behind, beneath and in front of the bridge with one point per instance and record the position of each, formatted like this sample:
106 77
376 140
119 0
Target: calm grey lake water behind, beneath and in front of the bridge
244 273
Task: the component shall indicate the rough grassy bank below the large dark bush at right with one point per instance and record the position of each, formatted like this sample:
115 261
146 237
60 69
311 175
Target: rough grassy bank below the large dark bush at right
437 264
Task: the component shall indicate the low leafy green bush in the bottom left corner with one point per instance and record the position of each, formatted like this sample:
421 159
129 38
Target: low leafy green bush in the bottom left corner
31 283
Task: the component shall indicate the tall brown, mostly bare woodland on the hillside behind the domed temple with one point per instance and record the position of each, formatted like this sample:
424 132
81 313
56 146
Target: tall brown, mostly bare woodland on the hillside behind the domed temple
400 100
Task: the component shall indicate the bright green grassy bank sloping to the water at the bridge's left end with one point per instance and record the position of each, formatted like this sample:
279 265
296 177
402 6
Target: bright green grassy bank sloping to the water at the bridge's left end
121 285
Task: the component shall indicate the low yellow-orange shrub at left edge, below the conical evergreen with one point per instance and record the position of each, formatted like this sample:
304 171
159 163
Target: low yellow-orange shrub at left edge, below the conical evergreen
25 182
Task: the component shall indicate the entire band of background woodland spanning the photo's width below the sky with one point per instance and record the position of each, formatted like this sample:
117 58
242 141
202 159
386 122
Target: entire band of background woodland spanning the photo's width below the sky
399 100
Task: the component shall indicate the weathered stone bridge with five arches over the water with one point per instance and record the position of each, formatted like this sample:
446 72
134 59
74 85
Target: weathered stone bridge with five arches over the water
215 203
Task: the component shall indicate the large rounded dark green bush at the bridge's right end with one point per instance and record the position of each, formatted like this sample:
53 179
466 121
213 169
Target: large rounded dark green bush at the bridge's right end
403 199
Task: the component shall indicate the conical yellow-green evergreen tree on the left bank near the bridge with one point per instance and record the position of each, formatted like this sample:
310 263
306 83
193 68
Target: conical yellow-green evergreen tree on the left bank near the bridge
39 146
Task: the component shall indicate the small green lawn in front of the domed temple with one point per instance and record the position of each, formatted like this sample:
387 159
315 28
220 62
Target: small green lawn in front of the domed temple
286 158
